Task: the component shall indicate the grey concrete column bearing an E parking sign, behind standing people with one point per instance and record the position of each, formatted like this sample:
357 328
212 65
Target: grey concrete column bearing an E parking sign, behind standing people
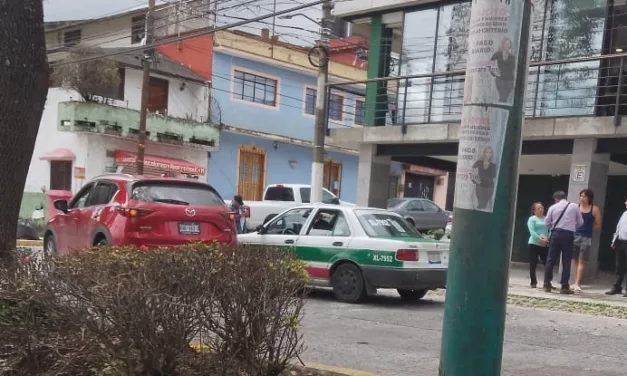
588 171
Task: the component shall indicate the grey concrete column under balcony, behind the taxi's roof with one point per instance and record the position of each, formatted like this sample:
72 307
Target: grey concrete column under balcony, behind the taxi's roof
373 177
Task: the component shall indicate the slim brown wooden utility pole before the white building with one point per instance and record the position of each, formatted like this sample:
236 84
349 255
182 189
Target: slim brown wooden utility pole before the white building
147 61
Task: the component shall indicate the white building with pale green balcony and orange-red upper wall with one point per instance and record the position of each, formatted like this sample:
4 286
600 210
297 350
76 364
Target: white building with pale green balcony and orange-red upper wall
79 139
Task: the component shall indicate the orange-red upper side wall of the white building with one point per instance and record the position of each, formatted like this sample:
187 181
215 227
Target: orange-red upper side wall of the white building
195 53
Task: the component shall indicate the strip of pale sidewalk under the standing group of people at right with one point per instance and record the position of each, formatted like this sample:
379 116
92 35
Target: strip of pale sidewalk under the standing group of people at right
593 291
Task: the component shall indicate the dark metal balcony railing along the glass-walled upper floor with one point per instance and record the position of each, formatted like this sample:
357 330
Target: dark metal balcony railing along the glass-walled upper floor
590 86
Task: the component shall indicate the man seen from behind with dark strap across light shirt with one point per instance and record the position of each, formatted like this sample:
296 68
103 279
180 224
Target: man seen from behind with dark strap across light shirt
562 219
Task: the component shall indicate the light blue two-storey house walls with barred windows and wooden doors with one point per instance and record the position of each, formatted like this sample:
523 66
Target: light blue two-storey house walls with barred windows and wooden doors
267 110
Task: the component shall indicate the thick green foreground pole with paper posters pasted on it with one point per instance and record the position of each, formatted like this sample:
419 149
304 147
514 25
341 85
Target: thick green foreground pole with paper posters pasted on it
486 188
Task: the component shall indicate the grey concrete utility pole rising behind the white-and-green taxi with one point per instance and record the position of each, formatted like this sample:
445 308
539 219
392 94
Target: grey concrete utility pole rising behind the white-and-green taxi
317 167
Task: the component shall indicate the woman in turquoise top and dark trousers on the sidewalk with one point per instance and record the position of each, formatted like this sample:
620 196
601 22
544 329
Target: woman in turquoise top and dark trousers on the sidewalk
538 240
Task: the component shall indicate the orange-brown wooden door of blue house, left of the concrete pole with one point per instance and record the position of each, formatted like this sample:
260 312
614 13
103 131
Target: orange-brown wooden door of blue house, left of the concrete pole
251 173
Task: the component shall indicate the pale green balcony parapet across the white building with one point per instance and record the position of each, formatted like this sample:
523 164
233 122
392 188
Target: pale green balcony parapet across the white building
124 122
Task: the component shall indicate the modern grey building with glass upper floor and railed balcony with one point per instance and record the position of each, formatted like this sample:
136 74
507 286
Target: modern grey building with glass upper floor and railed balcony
576 97
